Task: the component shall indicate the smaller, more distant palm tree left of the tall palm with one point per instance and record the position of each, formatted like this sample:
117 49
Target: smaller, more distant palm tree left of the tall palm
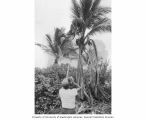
60 46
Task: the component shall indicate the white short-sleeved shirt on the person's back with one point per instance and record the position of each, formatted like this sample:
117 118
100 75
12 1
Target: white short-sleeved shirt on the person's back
68 97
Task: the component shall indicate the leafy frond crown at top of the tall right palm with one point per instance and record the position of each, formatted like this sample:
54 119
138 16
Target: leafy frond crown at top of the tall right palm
88 14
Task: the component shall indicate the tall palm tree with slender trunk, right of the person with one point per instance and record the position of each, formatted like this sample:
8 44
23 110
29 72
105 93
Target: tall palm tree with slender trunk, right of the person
88 18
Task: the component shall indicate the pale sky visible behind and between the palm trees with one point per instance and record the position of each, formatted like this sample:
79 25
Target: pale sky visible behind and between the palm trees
50 14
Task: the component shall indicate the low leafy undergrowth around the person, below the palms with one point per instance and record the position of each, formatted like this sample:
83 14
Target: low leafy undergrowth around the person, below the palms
47 84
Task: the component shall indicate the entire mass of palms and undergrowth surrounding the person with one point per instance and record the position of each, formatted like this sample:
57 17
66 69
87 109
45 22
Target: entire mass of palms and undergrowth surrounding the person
88 19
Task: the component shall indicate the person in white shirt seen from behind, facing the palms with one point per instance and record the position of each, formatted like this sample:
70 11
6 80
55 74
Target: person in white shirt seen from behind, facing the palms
68 94
